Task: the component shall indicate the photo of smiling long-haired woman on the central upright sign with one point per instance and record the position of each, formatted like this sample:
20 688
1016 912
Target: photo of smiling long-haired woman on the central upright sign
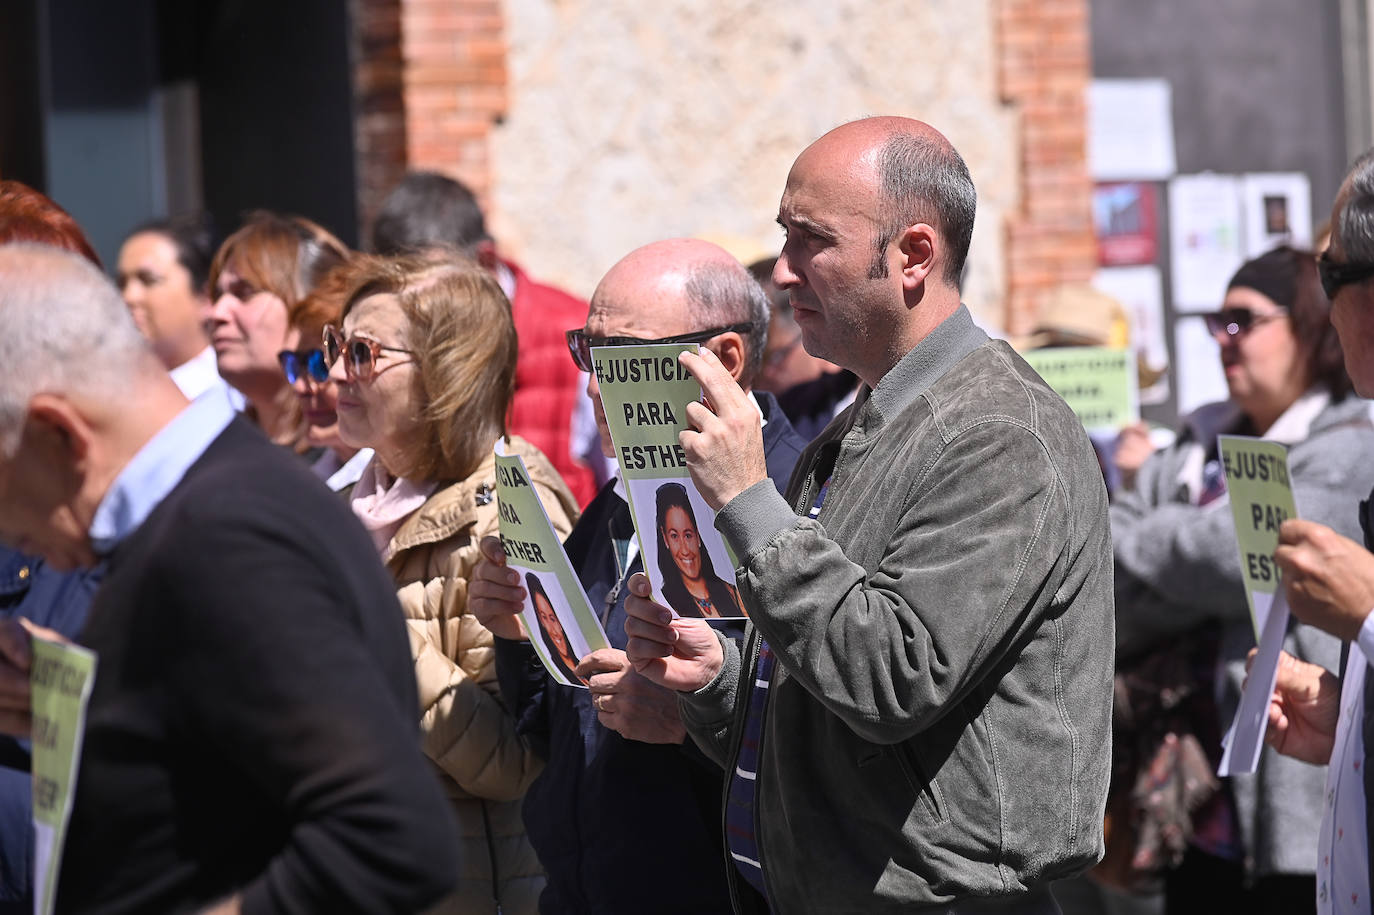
692 586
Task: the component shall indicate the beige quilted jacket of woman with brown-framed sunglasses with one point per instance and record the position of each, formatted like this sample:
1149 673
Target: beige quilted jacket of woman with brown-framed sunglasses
466 730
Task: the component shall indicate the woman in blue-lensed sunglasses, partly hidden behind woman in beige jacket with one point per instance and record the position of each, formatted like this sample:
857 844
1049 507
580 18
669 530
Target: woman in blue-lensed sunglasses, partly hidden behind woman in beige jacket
307 372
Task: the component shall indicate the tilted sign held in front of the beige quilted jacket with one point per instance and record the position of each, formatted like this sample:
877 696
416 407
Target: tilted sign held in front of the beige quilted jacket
557 615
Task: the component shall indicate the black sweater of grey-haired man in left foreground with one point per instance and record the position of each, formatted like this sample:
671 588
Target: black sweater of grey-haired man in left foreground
254 723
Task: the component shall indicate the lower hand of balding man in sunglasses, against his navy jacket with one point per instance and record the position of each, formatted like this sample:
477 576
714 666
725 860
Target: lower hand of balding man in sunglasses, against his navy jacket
627 703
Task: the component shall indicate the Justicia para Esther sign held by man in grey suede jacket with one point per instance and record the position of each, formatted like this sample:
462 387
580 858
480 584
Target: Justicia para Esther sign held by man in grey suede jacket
645 395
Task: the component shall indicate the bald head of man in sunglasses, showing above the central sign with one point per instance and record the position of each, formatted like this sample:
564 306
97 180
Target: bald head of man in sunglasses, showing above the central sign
679 286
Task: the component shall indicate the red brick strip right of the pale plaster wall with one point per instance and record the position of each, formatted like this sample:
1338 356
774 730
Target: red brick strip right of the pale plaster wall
1044 72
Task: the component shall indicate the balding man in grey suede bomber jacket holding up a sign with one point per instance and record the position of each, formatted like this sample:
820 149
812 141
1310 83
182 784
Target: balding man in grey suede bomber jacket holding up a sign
920 716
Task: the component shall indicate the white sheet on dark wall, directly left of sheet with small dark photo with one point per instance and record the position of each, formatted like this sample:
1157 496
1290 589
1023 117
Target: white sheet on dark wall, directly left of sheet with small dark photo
1206 240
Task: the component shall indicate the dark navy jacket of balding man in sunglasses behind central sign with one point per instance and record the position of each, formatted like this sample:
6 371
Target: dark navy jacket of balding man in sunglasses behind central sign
622 826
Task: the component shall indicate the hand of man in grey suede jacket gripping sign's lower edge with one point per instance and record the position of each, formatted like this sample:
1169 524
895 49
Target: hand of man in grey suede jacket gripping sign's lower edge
678 655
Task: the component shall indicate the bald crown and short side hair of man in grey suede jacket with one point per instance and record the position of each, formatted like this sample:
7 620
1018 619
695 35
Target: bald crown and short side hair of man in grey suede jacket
919 178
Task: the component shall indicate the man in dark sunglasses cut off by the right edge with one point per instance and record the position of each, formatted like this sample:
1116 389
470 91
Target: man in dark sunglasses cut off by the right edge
1329 582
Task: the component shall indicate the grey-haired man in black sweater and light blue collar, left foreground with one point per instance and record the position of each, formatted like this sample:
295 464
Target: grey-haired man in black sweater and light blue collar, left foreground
251 740
